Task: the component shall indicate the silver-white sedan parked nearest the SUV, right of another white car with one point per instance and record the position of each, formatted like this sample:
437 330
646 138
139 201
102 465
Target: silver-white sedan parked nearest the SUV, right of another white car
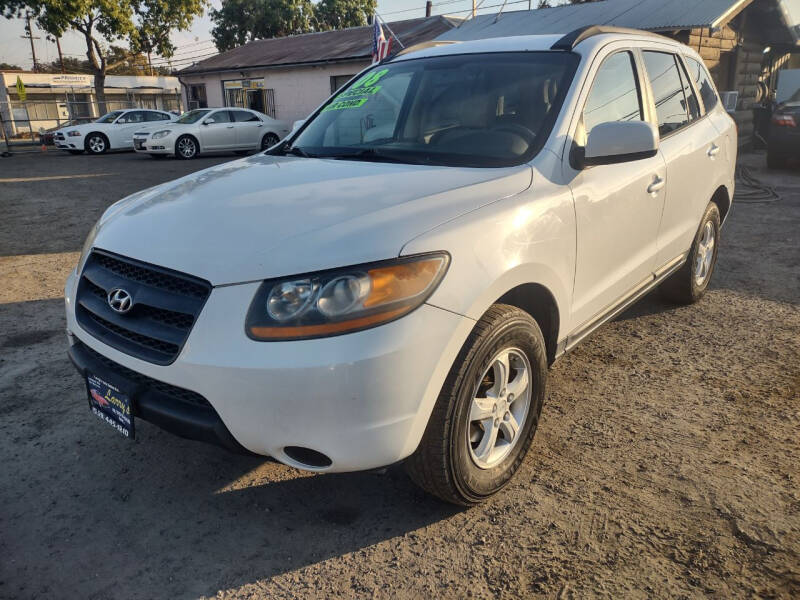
211 130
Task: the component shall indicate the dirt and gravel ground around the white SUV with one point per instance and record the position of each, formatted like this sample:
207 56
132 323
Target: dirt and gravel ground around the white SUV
667 462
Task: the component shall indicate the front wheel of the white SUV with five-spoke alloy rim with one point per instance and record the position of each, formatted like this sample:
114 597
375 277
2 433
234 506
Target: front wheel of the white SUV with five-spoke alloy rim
451 461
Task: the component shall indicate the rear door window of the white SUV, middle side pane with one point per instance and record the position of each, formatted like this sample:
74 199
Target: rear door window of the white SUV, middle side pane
667 87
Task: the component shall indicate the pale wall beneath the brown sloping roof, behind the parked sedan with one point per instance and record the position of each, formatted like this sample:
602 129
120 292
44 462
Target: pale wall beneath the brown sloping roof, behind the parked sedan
298 90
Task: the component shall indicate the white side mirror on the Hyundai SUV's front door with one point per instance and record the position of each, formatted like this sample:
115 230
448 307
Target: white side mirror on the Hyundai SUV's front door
620 141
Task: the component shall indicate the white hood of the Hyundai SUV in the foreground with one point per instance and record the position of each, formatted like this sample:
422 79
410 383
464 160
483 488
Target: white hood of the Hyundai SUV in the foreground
267 216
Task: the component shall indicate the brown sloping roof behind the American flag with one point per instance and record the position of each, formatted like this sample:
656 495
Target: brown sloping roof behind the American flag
354 43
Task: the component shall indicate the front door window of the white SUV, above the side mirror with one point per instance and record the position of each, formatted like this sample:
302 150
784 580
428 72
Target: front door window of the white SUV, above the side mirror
615 93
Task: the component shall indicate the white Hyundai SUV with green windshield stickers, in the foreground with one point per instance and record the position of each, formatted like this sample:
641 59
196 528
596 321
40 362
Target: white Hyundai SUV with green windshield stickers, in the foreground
392 281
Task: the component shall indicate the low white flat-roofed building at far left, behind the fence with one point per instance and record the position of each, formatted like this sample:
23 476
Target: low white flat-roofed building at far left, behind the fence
53 99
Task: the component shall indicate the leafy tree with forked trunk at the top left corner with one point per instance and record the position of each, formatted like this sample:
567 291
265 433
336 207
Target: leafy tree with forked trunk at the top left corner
145 25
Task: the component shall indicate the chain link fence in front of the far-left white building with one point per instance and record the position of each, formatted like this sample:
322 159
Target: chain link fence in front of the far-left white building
33 122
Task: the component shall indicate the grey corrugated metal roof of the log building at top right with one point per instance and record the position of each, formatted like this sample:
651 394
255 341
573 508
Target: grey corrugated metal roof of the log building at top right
651 15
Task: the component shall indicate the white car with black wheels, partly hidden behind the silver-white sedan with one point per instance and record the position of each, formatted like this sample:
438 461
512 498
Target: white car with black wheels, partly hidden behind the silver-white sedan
112 131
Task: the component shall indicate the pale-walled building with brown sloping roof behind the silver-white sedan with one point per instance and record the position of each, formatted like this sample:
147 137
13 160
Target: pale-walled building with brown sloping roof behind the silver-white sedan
289 77
